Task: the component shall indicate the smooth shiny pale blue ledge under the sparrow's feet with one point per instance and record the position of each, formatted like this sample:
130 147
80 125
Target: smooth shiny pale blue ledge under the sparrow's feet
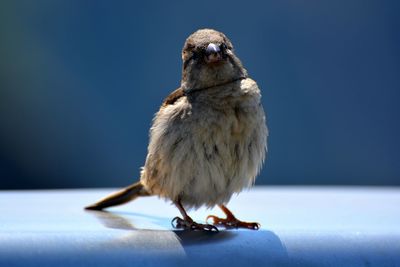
301 226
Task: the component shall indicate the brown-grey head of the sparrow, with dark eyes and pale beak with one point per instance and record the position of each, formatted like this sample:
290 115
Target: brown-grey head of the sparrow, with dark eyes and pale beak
209 60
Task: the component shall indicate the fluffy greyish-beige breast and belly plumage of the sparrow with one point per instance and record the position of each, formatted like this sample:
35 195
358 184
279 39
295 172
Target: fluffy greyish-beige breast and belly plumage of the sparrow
206 145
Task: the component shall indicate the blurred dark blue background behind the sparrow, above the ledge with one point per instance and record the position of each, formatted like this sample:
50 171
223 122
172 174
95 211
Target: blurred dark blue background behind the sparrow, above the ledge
81 80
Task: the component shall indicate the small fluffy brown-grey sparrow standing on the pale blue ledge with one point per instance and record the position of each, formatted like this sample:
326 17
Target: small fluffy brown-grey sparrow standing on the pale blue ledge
208 140
